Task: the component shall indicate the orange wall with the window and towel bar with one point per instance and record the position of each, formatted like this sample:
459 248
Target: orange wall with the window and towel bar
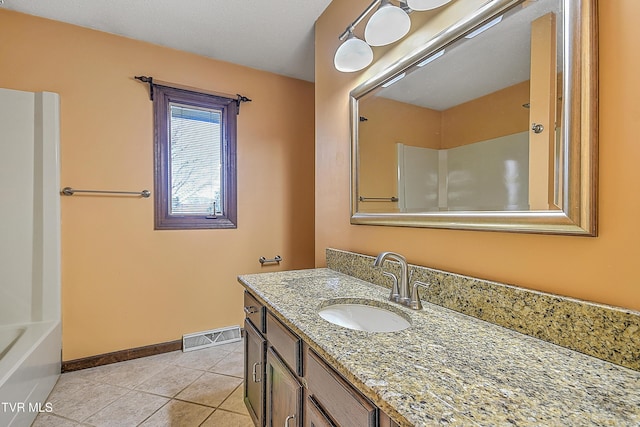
125 285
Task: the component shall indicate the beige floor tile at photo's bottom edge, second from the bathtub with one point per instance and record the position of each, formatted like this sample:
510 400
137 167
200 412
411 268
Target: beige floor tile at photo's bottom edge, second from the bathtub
130 410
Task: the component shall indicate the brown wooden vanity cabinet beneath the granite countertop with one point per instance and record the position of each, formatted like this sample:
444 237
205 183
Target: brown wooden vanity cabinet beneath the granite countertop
288 384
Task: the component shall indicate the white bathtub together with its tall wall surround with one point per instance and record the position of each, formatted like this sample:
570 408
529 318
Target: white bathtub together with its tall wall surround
30 330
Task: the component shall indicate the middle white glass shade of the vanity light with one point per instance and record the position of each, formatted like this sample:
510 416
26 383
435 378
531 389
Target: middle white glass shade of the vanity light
388 24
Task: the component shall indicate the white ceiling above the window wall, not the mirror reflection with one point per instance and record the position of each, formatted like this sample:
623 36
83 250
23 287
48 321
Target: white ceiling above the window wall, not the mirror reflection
270 35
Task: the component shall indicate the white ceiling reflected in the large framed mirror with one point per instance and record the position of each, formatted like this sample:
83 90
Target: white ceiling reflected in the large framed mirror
497 58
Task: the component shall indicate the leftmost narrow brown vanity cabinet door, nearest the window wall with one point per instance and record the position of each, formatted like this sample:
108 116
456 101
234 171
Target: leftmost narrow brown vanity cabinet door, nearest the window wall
254 368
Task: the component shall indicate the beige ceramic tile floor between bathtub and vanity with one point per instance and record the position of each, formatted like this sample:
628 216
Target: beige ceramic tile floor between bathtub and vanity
196 388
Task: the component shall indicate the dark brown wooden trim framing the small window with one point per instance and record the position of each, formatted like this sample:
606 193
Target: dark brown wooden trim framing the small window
165 95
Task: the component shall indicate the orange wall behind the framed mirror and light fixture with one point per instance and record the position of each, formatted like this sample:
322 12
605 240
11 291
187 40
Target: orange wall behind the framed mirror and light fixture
602 269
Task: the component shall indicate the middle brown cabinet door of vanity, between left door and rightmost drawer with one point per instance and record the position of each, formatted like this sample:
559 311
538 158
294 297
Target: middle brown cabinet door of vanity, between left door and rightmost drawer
284 394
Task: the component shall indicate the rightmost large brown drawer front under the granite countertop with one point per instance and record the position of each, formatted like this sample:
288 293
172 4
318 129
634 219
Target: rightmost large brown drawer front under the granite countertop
345 405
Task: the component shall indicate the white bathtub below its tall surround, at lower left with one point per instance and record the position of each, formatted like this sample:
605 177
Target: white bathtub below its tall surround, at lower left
29 368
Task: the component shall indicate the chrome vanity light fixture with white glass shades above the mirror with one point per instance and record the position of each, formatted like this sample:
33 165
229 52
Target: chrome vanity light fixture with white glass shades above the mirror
388 24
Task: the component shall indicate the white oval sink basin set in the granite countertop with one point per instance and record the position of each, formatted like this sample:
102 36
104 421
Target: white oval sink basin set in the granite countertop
363 317
